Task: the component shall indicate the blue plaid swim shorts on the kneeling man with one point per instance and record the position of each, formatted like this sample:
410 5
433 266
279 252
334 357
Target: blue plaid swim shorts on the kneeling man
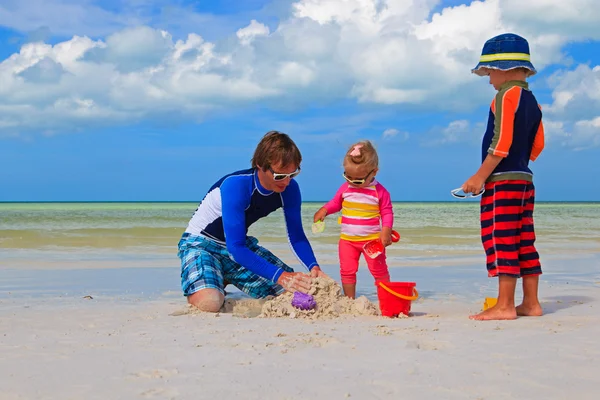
207 264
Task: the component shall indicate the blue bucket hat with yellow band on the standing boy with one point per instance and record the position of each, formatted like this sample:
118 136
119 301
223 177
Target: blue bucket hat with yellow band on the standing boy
505 52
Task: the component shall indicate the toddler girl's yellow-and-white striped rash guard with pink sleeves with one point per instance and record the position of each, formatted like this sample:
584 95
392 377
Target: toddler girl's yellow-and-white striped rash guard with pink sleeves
364 211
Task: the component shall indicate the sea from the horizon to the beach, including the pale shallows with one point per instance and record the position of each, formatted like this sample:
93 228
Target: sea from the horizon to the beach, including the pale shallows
130 248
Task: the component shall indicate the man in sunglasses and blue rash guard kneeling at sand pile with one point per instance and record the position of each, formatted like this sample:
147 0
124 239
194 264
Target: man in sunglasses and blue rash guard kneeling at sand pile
215 249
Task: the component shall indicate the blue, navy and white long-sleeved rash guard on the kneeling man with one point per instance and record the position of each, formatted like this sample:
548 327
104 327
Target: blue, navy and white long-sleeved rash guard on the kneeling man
238 200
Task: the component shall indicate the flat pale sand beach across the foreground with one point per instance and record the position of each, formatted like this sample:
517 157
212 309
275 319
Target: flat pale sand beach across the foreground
145 346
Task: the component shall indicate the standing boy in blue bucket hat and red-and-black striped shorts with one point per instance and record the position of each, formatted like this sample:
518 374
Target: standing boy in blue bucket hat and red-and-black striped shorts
514 136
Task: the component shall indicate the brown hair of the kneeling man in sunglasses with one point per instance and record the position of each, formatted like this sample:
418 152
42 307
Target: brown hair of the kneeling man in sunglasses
276 147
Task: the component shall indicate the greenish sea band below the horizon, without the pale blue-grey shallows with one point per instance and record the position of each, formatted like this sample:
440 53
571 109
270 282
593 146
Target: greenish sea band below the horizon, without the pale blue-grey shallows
154 228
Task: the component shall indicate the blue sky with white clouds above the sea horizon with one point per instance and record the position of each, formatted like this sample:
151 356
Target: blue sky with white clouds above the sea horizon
155 100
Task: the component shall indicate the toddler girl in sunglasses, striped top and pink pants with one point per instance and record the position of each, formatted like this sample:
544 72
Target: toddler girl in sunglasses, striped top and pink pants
367 214
